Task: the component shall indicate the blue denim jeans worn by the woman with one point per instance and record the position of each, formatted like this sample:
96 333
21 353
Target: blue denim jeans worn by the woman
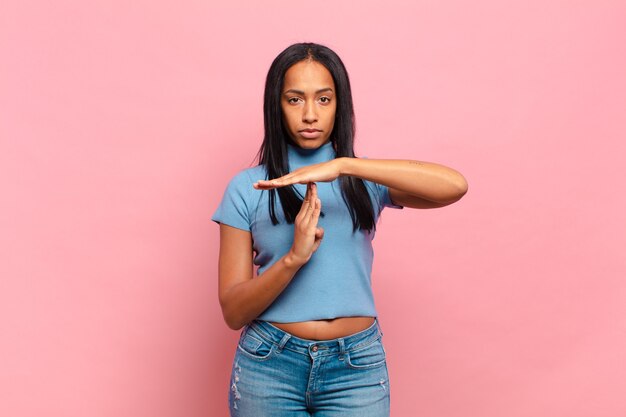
277 374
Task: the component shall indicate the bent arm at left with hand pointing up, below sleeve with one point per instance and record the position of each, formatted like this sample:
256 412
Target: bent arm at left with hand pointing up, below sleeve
243 298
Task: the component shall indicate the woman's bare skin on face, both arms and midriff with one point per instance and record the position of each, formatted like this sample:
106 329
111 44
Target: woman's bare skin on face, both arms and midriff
308 102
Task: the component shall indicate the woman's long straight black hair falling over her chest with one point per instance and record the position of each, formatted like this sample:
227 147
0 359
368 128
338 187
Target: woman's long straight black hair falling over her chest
273 151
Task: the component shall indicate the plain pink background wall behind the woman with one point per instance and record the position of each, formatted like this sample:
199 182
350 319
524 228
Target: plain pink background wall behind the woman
121 122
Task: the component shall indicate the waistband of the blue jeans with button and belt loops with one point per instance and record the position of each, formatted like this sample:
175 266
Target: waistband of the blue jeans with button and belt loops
286 340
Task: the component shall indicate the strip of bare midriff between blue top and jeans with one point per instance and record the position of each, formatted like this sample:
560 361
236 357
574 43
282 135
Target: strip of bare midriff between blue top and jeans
326 329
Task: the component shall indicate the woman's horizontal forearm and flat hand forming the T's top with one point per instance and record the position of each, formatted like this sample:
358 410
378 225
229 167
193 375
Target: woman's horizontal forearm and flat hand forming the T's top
412 184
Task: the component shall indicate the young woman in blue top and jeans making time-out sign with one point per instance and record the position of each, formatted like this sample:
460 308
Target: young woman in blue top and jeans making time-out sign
311 343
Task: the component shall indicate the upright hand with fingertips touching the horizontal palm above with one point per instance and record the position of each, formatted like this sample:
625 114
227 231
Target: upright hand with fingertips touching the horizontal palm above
307 236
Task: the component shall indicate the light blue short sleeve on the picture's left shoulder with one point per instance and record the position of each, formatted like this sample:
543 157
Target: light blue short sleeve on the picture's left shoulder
234 209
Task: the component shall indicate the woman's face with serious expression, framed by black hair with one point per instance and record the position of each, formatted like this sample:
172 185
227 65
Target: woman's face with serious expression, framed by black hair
309 103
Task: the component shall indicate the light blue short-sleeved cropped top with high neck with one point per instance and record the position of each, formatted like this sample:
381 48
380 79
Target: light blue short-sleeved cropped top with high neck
336 282
